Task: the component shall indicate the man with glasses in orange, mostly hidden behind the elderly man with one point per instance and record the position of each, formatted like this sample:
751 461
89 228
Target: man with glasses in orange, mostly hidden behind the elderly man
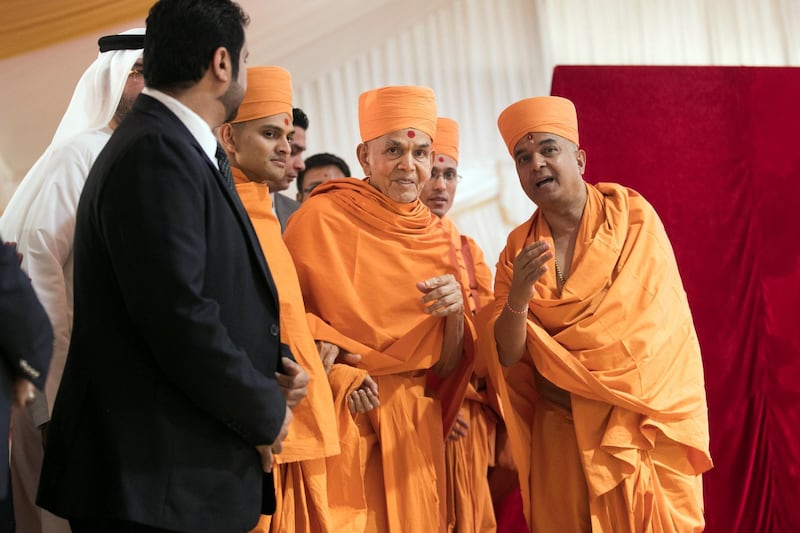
469 450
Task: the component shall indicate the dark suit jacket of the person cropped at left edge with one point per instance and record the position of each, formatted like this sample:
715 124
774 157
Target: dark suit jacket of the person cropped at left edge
26 343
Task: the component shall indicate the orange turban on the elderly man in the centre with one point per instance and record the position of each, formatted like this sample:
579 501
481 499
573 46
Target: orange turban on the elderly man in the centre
388 109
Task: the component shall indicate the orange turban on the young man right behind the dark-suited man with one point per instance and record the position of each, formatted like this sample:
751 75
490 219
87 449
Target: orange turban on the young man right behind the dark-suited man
269 92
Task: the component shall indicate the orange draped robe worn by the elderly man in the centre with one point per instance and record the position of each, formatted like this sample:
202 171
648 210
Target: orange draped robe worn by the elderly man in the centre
358 256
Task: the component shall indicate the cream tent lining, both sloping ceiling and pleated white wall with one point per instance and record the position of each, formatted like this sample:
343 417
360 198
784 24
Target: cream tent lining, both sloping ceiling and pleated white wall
478 55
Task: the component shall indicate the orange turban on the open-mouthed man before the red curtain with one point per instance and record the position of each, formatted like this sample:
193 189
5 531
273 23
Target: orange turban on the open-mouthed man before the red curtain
542 114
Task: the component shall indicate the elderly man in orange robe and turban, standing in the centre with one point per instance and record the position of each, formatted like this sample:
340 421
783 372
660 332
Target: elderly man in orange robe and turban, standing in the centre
384 277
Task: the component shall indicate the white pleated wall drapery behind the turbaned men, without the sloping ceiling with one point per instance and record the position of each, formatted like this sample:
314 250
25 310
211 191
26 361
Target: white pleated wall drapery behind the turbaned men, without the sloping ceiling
481 56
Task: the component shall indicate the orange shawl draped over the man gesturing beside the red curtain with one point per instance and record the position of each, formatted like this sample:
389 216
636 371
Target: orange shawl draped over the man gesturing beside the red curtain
619 337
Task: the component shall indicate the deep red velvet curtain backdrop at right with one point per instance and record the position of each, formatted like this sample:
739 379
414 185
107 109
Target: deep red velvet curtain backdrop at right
716 151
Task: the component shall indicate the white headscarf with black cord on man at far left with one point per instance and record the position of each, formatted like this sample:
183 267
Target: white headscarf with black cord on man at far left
92 107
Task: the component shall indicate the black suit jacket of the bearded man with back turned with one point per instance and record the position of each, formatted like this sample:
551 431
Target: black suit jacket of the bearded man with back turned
169 382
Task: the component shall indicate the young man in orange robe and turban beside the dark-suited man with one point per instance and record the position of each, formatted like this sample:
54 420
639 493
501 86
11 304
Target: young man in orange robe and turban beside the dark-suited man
257 142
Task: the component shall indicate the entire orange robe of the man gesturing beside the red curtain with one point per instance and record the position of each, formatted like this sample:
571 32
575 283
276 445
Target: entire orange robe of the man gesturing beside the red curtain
619 337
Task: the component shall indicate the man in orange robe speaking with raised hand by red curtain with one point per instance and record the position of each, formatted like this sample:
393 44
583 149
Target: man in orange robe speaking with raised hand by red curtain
603 388
